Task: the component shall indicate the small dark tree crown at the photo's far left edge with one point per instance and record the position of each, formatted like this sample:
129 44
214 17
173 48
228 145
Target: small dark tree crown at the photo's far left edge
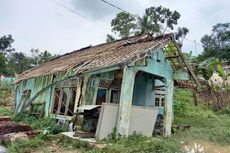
5 44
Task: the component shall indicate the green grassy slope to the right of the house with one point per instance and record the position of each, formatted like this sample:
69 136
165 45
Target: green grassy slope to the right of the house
205 123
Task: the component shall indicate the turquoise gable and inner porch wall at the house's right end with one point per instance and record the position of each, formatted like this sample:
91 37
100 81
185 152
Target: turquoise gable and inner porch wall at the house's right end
157 65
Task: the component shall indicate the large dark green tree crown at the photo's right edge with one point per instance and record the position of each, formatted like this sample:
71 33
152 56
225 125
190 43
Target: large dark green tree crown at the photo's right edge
217 43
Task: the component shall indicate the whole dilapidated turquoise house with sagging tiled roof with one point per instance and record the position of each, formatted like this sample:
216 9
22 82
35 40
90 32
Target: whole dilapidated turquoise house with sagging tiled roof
123 85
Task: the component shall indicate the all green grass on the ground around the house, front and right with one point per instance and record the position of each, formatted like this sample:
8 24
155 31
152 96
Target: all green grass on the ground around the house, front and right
205 124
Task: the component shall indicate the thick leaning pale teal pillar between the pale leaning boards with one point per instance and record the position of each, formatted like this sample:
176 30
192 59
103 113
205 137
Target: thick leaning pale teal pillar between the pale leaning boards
125 101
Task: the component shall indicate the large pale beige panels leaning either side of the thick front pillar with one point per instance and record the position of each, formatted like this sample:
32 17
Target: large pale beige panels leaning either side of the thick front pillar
109 115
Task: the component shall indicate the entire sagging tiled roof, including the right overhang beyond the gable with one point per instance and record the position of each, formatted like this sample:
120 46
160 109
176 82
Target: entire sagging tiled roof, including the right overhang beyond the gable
119 52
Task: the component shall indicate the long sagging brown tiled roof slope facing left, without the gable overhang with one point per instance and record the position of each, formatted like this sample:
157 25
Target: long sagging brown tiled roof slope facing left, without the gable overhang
100 56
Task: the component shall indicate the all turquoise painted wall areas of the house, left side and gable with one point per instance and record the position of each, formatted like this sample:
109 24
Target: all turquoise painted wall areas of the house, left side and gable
156 65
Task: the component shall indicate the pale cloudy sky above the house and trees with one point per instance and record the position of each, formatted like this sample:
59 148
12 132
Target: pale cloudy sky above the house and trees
48 26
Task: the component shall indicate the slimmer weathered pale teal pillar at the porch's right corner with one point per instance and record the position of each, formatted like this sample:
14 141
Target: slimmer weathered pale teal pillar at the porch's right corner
168 109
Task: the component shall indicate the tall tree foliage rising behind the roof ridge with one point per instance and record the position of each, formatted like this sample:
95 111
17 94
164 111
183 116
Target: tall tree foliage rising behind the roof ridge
155 20
